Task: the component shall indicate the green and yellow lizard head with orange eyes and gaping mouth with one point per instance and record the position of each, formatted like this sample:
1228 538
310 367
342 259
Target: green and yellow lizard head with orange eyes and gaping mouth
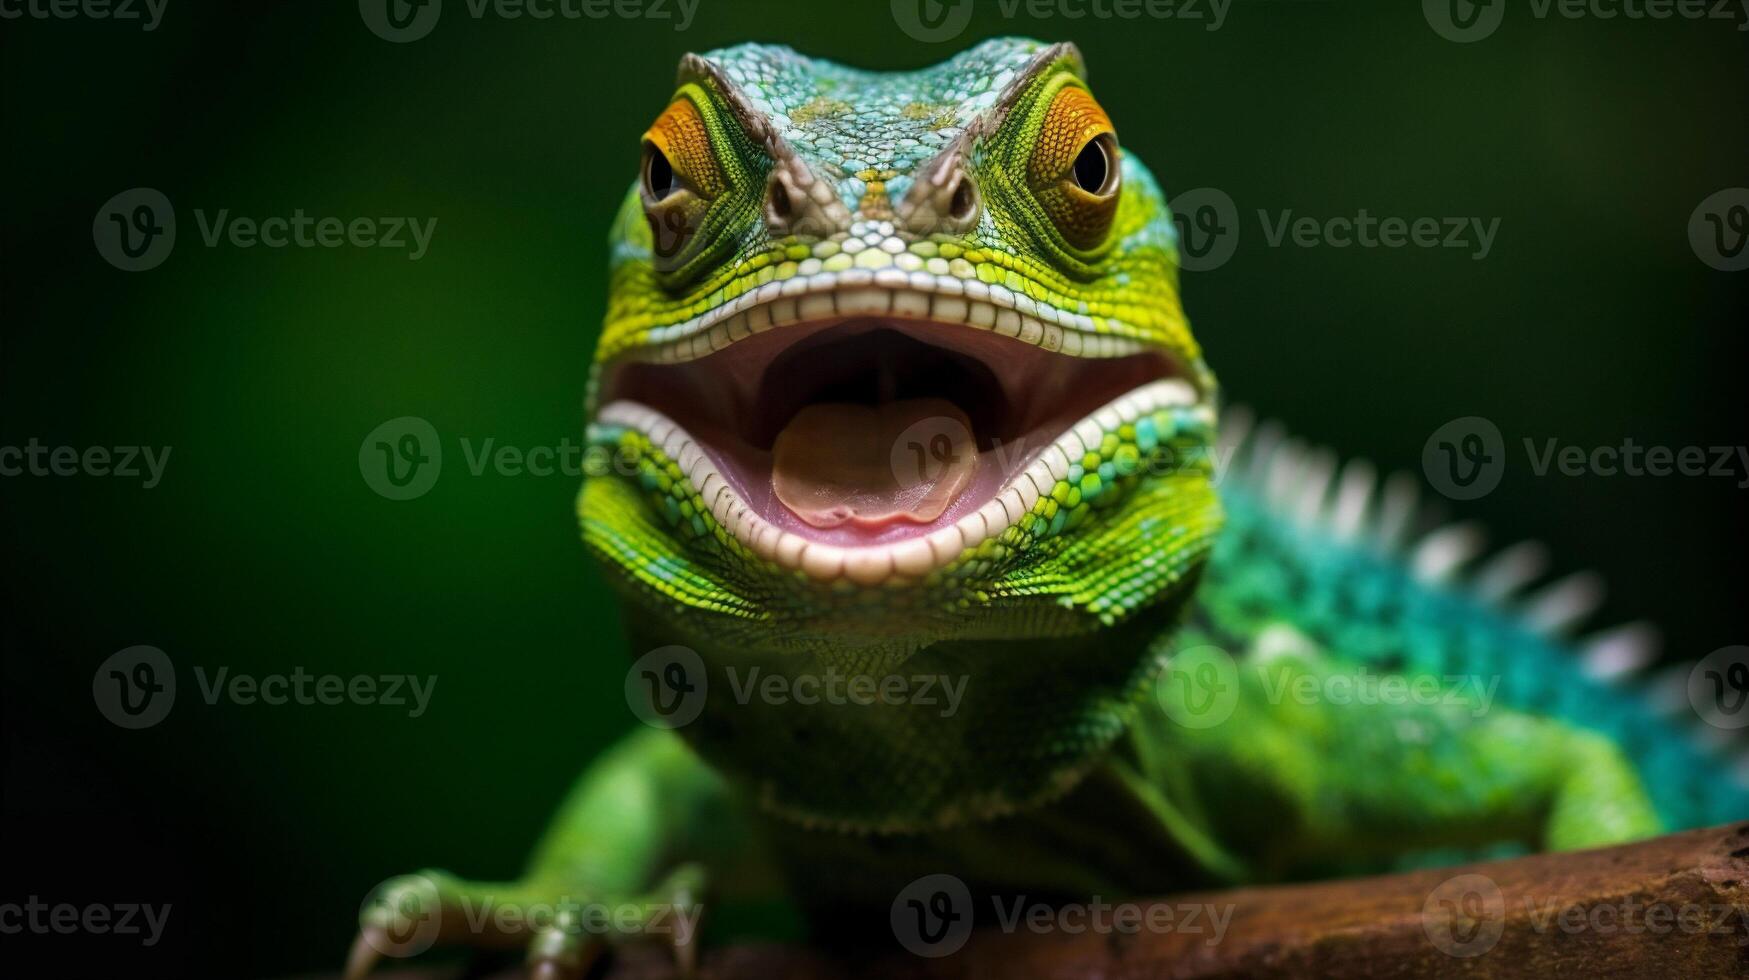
896 358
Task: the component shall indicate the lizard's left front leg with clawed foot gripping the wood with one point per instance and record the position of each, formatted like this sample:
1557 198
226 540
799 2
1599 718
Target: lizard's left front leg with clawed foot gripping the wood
618 864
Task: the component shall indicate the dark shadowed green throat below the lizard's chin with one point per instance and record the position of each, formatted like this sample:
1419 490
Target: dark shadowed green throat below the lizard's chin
945 736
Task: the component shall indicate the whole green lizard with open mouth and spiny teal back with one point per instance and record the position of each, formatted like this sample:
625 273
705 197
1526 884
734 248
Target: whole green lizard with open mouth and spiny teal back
896 389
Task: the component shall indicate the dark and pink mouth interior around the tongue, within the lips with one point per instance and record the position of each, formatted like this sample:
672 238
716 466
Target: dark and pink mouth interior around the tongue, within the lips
735 402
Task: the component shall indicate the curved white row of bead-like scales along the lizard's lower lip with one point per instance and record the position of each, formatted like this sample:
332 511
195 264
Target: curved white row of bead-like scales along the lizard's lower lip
916 557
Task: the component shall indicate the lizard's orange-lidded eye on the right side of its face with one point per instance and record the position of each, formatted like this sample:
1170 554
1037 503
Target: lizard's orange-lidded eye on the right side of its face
1075 169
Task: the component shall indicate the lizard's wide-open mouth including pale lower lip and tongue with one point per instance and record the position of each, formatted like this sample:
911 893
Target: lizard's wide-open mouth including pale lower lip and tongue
879 442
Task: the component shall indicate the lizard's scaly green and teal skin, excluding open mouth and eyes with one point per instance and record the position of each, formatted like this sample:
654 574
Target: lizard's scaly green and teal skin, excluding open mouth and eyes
1078 764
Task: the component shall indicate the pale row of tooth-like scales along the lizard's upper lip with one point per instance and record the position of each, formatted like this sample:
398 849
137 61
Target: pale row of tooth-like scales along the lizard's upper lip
884 293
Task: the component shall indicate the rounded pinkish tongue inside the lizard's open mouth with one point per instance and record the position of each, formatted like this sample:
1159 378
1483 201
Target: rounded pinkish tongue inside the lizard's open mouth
902 461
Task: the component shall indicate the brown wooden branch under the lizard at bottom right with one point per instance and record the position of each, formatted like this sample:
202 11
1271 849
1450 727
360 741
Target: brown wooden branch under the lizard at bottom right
1671 907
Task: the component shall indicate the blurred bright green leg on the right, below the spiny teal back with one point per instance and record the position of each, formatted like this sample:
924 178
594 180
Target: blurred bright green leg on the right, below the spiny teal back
1321 766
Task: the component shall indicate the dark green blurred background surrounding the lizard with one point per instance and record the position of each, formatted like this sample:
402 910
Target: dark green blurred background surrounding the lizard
265 550
